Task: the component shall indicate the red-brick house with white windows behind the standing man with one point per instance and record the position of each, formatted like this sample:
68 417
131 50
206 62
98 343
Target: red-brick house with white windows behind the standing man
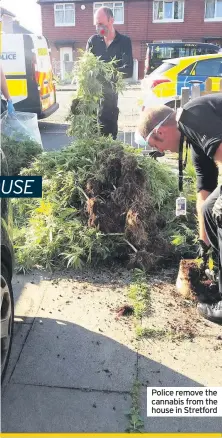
69 23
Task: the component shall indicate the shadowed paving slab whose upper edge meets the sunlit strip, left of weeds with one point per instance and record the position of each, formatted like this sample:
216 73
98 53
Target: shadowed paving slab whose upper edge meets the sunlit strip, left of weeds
58 353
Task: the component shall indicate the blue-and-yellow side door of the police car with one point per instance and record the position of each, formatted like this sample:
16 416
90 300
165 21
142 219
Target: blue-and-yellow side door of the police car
202 70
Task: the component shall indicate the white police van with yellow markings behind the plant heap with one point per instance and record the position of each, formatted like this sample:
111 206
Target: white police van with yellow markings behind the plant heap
26 62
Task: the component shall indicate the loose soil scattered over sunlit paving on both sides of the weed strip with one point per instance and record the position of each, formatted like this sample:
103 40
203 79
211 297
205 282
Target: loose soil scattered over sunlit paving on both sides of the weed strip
167 310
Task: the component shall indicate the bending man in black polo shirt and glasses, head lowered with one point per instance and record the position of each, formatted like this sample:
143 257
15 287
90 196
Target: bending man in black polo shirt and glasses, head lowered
200 123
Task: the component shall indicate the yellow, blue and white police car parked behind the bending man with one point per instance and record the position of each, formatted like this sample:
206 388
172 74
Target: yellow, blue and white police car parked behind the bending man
161 86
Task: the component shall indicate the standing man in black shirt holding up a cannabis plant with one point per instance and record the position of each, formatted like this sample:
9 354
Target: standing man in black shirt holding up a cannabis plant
108 44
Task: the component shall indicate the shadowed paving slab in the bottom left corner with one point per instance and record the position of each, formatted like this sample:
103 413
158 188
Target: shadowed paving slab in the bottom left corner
40 409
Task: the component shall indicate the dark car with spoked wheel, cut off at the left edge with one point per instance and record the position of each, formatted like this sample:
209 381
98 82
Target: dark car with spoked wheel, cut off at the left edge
7 263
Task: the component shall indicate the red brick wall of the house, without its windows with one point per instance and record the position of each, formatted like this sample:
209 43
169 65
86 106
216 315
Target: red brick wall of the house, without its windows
138 25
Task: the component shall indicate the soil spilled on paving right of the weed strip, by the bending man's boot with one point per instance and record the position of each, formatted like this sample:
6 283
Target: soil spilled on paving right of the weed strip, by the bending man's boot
178 317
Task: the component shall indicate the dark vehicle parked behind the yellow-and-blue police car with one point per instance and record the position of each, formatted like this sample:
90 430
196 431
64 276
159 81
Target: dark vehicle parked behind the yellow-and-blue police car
157 52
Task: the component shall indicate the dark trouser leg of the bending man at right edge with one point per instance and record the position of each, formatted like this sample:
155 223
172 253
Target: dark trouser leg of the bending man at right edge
214 233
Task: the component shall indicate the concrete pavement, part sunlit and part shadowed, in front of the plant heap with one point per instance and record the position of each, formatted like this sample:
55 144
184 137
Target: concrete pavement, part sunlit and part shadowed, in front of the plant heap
74 364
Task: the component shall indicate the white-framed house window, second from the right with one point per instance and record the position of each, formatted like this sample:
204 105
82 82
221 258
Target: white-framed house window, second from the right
168 11
